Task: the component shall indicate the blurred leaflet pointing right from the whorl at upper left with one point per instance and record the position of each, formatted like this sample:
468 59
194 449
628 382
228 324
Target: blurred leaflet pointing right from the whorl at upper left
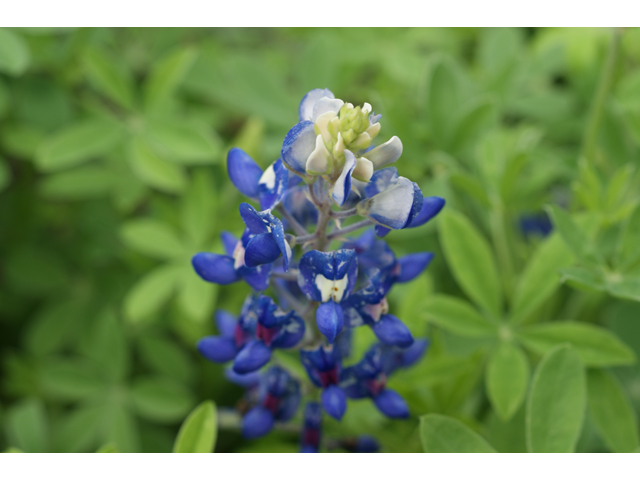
184 142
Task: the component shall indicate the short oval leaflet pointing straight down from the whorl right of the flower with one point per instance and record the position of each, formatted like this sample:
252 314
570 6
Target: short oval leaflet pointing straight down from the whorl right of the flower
507 379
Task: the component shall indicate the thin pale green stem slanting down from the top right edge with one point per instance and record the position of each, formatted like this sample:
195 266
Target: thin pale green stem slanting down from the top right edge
605 85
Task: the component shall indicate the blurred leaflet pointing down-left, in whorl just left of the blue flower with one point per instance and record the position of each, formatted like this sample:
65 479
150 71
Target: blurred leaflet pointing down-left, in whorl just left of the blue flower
152 291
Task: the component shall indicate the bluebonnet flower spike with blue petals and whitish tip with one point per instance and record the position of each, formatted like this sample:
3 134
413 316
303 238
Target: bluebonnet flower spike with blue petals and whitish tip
330 171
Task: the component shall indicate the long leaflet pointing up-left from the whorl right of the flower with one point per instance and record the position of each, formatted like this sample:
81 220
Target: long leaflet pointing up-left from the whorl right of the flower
471 260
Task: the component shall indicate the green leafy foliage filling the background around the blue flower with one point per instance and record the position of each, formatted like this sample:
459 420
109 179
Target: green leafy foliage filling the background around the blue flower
112 175
